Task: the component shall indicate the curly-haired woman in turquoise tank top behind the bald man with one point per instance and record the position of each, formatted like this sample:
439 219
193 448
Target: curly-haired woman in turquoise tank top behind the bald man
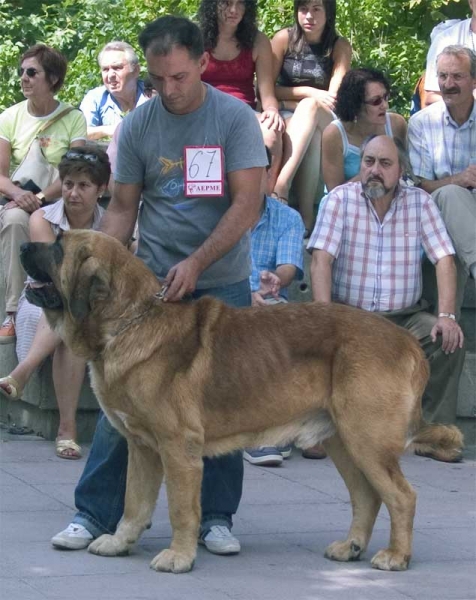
361 108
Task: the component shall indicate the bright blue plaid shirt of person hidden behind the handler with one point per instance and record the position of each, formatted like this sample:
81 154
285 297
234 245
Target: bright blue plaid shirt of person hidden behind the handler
276 240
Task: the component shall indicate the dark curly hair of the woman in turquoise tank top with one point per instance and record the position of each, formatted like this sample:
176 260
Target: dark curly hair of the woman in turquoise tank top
351 92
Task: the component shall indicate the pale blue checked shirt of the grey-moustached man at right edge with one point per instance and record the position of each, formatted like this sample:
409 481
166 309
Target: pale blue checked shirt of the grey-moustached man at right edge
438 146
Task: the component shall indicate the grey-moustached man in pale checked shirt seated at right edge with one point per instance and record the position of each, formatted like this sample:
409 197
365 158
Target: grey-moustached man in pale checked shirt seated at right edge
442 144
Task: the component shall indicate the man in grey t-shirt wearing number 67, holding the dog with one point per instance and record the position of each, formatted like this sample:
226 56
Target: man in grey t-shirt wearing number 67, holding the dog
195 156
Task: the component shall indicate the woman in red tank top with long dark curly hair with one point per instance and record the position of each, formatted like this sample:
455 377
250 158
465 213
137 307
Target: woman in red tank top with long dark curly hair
238 54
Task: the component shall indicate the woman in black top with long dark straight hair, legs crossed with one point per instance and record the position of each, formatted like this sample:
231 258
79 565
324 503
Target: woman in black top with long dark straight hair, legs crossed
310 60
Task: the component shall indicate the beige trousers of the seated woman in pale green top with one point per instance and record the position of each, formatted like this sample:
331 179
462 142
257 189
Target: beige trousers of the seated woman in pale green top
14 231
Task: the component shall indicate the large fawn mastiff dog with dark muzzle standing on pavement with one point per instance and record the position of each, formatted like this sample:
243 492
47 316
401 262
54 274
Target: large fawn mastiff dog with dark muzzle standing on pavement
185 380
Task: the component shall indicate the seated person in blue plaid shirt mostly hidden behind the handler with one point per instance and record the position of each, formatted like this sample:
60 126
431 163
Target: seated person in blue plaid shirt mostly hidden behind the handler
276 260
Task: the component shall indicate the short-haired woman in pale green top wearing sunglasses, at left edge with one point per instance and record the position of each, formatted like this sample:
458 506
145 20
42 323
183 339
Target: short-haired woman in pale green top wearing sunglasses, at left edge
42 72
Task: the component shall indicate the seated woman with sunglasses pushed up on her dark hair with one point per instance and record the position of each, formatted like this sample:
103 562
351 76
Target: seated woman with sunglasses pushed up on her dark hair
84 174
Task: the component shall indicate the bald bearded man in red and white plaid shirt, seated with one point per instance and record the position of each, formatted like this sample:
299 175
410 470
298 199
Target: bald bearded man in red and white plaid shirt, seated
366 252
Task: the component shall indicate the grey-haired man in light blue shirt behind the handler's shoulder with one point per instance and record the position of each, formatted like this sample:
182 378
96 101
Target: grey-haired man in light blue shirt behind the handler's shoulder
105 106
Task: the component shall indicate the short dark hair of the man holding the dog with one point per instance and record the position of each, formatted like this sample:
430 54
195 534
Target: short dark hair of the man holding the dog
166 33
